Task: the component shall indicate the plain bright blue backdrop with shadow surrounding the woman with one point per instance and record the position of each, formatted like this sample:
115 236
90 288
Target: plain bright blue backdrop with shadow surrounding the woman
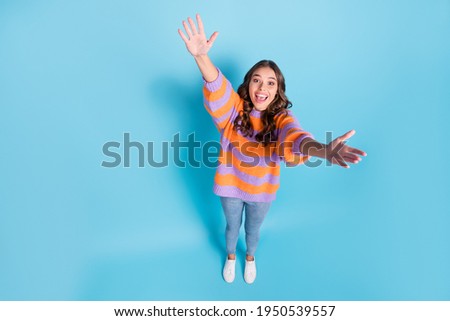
77 74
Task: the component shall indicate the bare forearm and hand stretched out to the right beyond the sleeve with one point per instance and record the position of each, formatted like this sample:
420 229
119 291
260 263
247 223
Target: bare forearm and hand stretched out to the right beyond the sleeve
336 152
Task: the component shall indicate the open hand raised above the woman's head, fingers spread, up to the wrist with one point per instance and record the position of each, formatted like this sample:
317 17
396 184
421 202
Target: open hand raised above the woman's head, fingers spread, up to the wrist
196 42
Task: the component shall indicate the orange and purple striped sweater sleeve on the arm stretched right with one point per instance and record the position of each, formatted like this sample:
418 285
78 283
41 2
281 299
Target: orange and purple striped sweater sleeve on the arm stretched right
290 136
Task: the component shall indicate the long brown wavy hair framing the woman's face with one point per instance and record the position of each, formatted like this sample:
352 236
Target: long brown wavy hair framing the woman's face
278 106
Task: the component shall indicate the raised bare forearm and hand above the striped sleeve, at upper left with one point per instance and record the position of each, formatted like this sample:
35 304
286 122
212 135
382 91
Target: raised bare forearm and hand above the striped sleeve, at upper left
198 46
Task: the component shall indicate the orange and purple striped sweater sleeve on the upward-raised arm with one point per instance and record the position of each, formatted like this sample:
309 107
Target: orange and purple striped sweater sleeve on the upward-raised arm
220 100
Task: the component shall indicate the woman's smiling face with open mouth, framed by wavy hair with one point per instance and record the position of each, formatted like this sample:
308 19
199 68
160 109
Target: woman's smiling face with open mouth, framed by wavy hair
263 88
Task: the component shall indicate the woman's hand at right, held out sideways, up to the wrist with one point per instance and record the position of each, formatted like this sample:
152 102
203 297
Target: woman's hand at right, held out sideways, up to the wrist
338 153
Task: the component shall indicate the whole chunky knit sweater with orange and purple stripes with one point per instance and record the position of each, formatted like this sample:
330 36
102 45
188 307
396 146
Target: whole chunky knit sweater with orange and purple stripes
248 170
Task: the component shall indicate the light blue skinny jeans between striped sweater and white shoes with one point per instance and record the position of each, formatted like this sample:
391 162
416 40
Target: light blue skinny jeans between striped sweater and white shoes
255 212
